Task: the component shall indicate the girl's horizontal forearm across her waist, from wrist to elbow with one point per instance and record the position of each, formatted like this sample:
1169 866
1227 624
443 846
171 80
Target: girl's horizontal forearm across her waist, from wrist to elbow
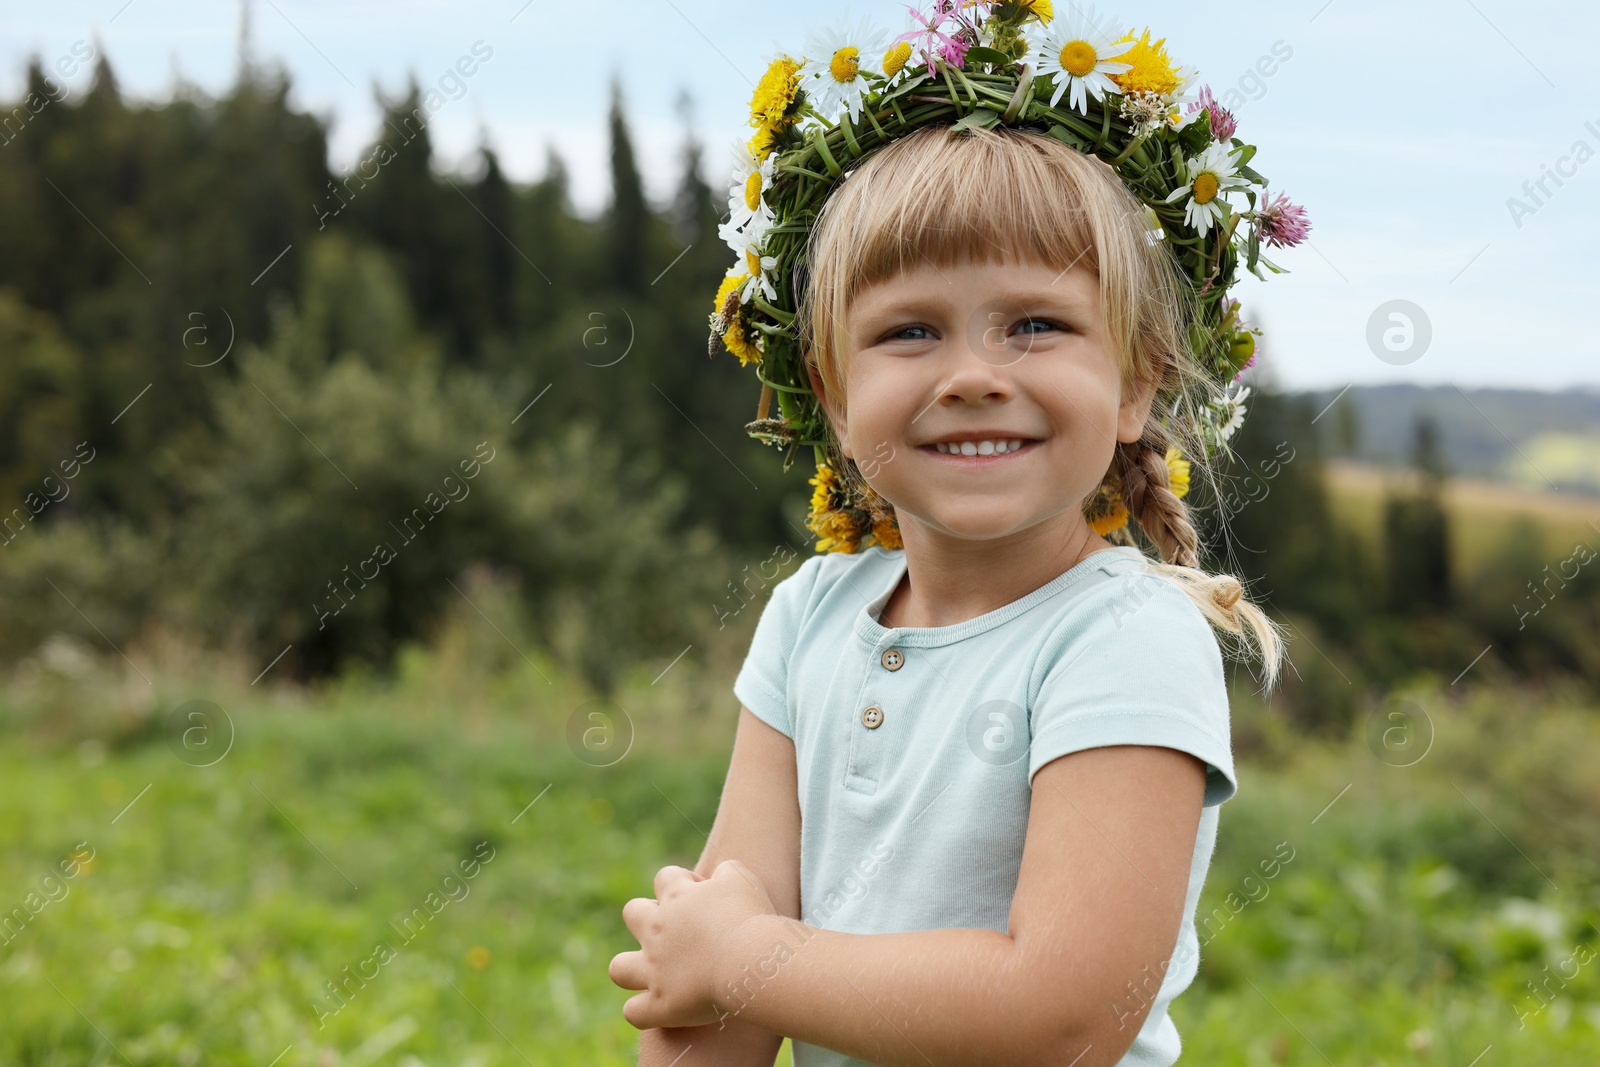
914 999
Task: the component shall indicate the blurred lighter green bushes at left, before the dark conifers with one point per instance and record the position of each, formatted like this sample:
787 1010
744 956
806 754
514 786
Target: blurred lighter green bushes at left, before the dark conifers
351 476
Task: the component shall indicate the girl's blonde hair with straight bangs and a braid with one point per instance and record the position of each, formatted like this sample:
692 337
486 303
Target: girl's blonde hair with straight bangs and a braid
946 198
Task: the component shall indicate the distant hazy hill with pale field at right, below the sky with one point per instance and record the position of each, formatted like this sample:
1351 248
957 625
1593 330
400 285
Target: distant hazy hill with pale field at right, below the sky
1518 436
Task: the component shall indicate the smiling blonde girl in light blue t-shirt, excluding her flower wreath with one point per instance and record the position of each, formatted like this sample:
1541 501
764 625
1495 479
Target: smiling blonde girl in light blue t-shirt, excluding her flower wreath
975 785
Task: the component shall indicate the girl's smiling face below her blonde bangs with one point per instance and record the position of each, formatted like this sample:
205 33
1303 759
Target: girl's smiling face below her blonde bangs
1009 361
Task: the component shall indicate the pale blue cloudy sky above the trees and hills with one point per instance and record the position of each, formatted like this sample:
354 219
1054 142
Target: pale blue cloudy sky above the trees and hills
1415 134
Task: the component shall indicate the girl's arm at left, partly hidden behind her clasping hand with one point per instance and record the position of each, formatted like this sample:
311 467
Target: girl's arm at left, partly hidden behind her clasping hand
759 825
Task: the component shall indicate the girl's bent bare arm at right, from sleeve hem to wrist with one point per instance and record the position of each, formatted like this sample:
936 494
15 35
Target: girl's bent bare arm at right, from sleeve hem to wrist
1095 921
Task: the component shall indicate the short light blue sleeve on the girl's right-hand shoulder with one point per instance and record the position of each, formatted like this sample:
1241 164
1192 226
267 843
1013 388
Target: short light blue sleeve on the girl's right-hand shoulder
1135 663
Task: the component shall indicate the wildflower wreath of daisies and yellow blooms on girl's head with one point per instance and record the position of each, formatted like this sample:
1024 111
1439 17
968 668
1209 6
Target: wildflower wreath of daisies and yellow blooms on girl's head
986 63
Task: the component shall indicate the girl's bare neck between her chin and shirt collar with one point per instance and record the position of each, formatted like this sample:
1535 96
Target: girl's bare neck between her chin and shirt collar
950 581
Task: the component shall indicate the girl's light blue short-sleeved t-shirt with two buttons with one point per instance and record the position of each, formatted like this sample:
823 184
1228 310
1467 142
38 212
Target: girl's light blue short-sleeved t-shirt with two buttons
916 748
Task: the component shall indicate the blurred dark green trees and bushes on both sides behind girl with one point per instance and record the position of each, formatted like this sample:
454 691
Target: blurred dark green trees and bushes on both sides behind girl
270 382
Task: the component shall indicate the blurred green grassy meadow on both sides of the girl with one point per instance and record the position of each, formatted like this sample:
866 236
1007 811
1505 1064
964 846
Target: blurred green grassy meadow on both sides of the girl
1418 905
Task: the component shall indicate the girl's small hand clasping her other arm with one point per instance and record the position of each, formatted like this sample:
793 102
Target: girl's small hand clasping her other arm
686 937
